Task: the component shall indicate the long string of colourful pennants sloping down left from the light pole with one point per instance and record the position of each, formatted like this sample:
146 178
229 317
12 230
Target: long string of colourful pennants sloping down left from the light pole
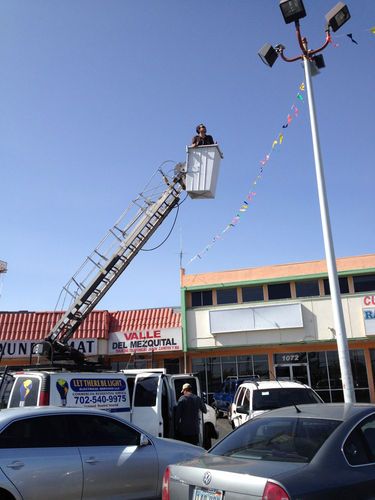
245 205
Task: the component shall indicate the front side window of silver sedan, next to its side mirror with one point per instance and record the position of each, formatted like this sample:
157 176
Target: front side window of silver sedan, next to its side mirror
95 430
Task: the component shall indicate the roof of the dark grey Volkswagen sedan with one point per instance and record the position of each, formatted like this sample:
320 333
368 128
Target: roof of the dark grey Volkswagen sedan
334 411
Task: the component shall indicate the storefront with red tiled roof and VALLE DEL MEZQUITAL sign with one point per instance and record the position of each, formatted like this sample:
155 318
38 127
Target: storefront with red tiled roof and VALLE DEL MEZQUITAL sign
145 338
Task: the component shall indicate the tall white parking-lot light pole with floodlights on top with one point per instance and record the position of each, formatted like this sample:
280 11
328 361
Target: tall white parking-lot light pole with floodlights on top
293 10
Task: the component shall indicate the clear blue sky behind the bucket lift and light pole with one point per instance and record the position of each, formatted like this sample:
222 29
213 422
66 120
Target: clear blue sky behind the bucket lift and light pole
95 95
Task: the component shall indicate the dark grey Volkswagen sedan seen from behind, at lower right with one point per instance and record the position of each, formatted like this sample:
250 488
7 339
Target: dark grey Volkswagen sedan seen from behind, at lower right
305 452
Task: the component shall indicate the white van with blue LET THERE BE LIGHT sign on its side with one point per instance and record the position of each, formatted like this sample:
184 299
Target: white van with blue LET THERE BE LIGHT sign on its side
145 397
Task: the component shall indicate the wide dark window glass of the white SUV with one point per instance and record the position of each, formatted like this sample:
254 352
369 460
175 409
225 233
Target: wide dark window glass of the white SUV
283 396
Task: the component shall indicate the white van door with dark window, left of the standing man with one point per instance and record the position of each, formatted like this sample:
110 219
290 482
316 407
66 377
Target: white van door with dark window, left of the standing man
147 403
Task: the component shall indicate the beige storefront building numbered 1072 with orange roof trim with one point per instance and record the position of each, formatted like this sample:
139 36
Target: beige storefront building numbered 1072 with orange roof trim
277 321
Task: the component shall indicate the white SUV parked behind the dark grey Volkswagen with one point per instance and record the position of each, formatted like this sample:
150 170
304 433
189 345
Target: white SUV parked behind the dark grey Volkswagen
253 398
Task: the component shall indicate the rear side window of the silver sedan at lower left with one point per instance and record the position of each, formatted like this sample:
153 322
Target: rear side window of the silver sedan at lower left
38 432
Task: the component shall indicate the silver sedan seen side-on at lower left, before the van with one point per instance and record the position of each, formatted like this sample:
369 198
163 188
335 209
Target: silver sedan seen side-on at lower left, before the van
76 453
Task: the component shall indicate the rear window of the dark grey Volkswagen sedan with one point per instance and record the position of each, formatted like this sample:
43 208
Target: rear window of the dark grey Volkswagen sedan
285 439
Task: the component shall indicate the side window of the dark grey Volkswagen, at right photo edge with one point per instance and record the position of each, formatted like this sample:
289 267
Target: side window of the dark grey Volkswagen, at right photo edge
359 448
